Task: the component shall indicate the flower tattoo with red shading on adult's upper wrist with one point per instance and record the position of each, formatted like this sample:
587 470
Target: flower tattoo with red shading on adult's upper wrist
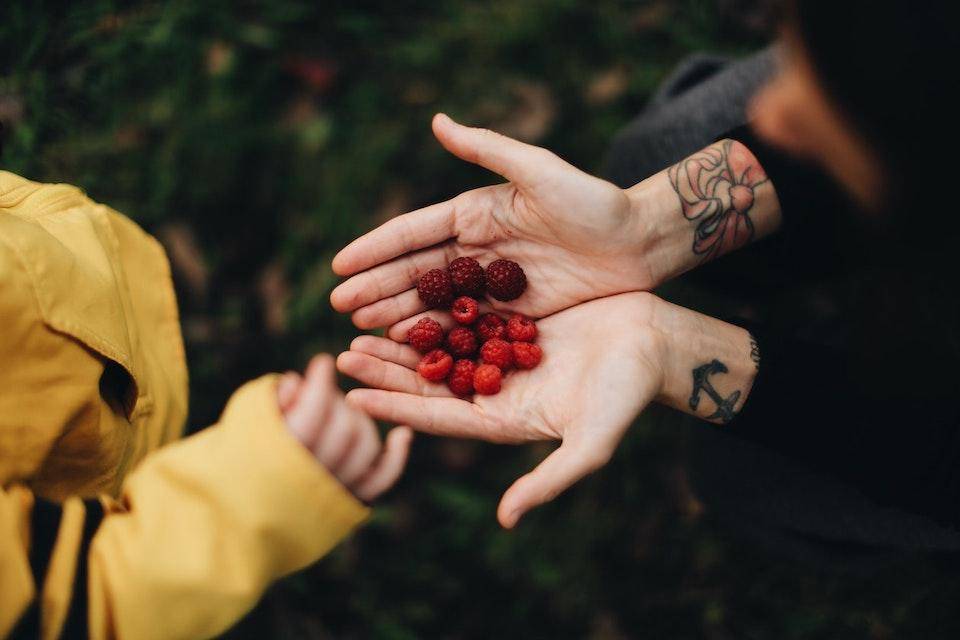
716 190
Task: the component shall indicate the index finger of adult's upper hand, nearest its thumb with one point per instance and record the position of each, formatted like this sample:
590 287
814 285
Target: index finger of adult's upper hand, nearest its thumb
411 231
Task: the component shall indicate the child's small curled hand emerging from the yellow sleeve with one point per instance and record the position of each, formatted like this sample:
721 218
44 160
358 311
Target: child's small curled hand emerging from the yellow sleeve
342 438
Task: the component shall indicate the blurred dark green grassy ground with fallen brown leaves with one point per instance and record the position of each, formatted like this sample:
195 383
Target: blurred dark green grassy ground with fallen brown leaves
257 138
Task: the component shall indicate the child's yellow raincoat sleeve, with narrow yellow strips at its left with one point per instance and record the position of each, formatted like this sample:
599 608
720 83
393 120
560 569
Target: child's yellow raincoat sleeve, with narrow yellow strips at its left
204 525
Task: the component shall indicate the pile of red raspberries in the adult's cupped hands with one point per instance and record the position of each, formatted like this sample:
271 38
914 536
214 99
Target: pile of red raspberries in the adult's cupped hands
501 345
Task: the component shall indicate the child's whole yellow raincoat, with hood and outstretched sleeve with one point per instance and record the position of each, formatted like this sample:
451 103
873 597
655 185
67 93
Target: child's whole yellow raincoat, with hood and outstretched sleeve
108 527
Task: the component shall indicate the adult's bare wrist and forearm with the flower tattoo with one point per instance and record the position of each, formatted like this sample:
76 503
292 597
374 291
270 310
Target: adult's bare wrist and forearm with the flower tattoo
708 204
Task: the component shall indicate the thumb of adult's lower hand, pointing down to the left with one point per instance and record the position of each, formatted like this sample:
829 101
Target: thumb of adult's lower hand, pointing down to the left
558 471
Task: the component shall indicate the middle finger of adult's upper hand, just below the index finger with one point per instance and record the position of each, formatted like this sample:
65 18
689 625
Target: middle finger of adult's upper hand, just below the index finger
389 279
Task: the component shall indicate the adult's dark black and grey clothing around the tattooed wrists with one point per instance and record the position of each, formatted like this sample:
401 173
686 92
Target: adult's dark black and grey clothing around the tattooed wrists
854 409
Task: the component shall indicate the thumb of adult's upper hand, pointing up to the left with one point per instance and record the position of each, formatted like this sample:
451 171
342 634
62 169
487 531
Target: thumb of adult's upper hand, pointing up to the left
514 160
